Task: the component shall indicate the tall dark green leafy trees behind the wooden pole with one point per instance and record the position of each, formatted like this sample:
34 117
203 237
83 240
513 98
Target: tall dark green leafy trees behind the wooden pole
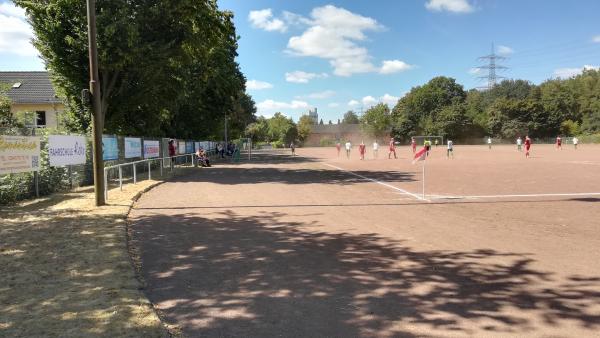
167 67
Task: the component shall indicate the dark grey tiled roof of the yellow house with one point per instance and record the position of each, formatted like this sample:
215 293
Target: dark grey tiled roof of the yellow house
29 87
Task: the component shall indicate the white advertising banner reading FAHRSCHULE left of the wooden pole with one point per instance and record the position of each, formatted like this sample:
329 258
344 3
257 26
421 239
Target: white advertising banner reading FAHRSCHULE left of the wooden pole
66 150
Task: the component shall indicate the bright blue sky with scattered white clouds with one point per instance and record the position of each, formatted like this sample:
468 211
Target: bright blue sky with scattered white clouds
341 55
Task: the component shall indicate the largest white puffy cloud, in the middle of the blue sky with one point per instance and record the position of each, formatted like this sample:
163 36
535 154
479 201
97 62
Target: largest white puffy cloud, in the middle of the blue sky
333 34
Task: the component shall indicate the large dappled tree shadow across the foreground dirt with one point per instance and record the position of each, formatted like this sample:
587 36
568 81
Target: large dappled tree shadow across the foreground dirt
236 275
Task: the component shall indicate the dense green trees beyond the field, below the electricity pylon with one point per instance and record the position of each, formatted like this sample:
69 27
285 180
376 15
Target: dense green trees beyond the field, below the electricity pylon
565 107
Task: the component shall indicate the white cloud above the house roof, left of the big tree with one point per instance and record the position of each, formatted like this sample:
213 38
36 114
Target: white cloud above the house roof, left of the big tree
15 31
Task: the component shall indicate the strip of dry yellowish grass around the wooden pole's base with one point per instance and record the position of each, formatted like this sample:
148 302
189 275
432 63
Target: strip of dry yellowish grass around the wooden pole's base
65 269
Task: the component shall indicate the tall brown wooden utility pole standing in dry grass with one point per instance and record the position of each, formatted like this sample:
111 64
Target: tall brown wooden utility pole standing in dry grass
97 117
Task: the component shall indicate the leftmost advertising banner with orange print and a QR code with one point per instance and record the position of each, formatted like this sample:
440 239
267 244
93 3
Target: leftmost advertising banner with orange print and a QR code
19 154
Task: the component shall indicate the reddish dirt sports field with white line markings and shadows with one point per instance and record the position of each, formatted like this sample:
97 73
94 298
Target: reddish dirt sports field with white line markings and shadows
320 245
